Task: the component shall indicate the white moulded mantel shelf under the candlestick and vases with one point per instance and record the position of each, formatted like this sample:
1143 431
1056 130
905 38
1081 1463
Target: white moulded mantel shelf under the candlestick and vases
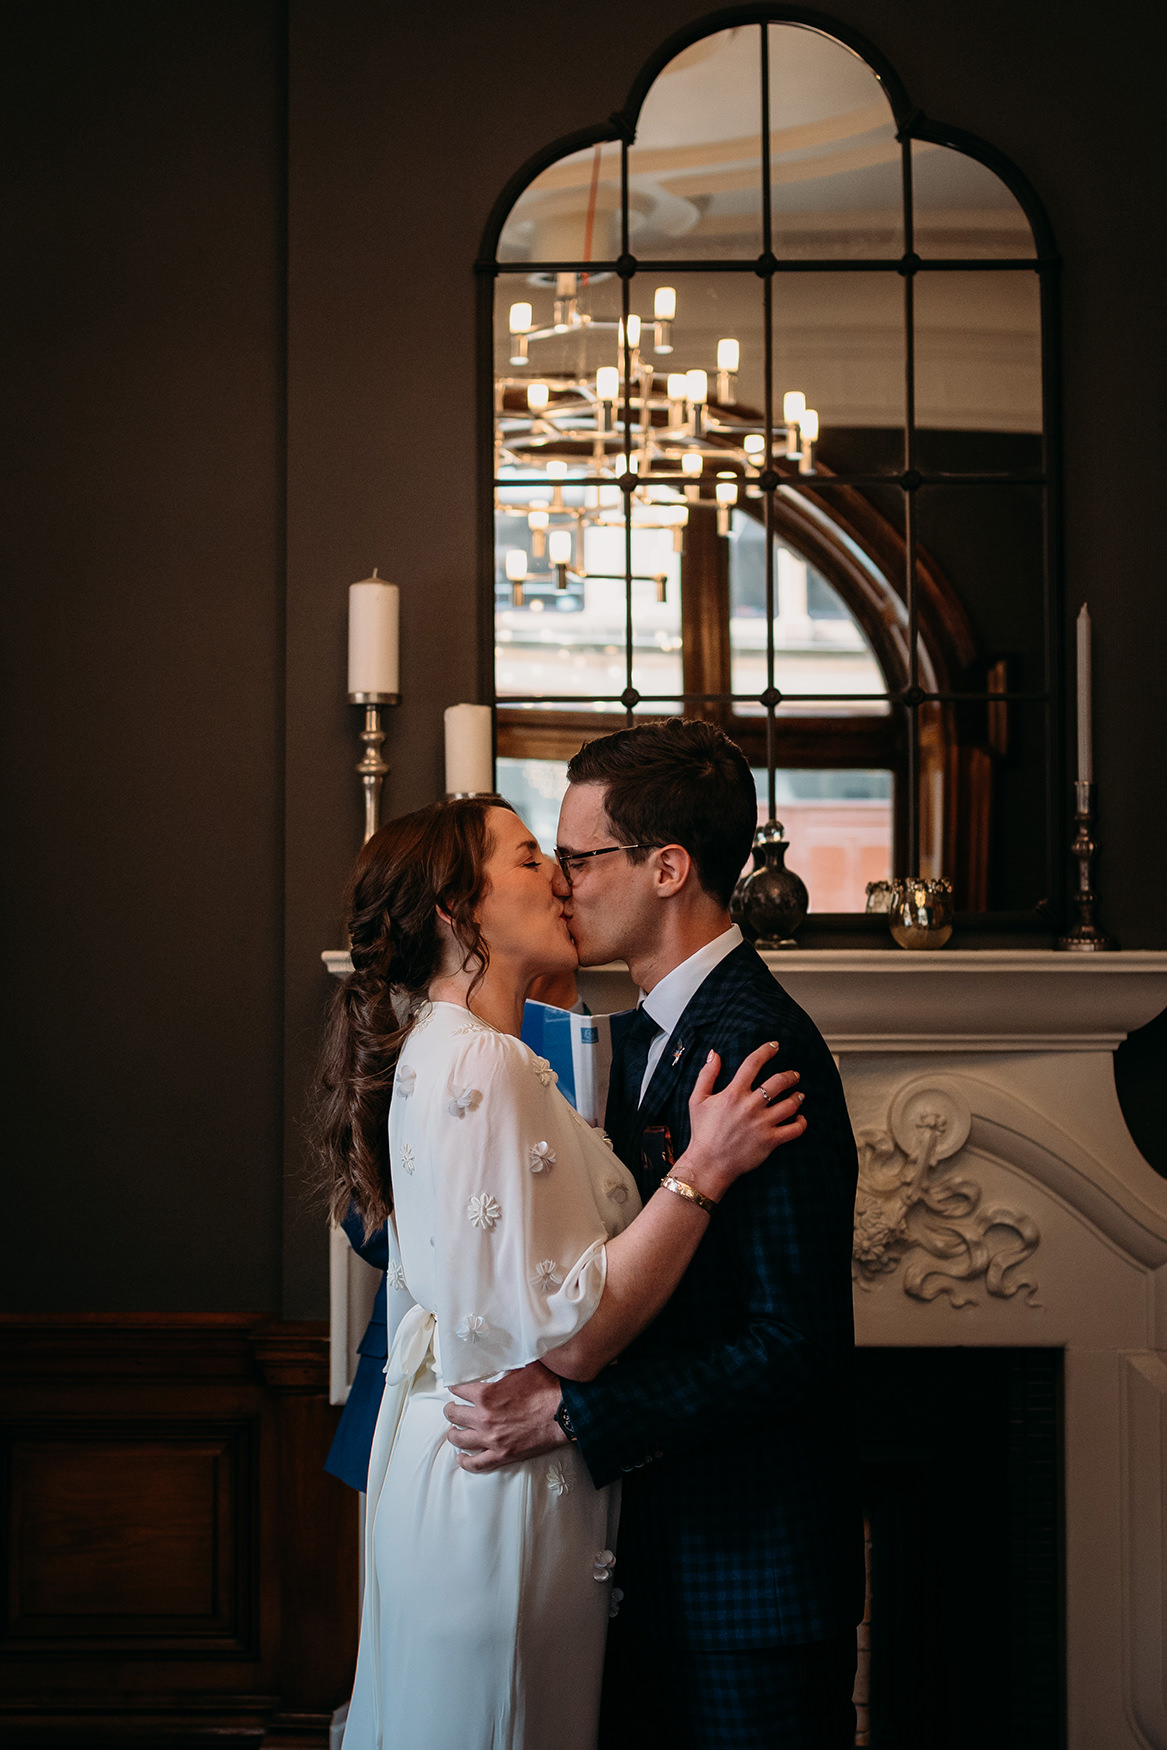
989 1000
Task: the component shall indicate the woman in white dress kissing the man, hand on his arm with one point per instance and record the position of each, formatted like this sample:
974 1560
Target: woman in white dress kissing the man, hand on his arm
515 1236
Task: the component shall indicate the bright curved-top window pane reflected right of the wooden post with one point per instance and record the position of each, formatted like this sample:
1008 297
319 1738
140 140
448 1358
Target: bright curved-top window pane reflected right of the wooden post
820 647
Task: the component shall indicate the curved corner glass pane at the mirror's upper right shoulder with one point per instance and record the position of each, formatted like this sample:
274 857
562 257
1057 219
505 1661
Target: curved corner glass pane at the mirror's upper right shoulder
963 211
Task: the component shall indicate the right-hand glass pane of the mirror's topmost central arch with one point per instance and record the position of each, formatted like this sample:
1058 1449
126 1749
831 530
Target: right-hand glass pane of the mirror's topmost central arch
835 164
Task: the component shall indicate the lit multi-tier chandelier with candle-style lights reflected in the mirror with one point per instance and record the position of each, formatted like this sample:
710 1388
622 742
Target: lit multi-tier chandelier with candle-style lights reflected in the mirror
629 430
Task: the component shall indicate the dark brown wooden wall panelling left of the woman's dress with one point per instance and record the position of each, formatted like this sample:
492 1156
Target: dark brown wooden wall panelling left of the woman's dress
179 1569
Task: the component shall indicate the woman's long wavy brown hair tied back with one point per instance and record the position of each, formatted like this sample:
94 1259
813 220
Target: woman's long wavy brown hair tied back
407 872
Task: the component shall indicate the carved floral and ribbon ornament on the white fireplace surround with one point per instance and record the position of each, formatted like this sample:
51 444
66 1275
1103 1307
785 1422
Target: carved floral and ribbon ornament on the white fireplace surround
912 1208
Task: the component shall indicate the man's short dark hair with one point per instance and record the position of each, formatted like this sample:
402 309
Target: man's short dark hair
676 783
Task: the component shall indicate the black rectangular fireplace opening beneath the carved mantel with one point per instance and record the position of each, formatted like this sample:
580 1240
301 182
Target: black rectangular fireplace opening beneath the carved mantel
961 1471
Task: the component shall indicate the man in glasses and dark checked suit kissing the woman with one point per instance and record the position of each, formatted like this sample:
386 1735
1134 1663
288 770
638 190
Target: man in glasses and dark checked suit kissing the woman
729 1420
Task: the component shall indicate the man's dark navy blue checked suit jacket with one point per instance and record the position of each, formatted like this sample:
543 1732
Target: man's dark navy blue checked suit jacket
730 1418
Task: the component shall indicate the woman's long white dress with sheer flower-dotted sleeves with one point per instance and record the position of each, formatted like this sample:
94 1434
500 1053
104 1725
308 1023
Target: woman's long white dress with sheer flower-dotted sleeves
487 1599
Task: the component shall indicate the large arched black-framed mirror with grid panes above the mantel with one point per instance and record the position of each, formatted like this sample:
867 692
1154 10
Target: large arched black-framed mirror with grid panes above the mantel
771 398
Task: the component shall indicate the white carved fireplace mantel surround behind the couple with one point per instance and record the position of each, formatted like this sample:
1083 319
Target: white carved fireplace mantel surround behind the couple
1003 1203
